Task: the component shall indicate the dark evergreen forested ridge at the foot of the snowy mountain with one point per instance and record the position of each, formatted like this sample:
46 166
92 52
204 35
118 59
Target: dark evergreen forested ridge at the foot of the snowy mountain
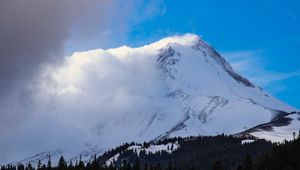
195 153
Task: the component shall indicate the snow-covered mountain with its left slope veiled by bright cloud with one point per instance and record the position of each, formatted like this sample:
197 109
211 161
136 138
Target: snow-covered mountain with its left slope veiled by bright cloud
178 86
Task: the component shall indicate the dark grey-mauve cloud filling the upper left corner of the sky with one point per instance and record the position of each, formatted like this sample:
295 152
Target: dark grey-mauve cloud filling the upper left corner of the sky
34 32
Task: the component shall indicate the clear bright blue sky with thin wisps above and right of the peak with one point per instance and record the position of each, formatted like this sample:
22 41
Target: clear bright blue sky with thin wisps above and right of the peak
260 38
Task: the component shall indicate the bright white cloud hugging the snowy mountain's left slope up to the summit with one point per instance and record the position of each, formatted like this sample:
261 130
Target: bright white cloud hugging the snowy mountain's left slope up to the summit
97 87
